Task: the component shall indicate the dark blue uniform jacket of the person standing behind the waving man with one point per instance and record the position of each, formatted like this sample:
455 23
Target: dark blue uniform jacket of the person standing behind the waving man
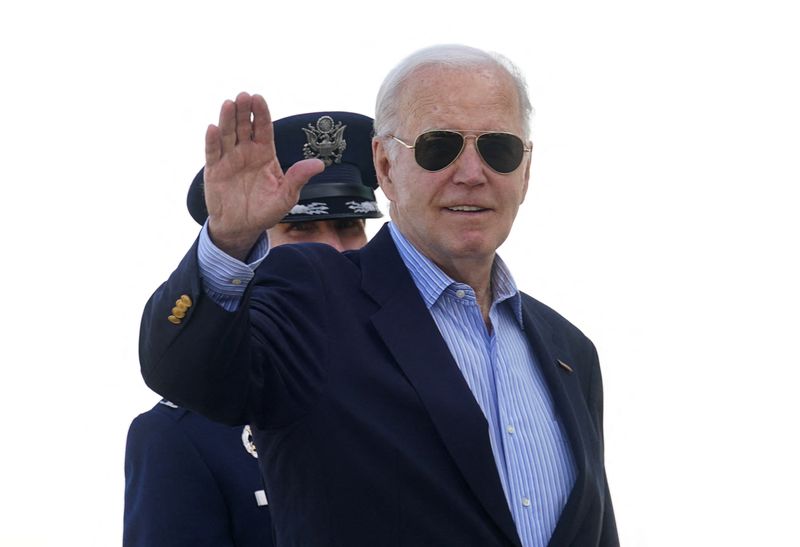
191 482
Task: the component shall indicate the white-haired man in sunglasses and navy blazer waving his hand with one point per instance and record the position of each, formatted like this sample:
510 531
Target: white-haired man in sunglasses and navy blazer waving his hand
406 393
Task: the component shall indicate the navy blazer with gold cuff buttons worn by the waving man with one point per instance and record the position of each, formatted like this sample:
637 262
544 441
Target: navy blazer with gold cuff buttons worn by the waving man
366 429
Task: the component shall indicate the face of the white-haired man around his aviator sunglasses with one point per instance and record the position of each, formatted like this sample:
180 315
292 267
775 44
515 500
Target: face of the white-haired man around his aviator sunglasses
437 211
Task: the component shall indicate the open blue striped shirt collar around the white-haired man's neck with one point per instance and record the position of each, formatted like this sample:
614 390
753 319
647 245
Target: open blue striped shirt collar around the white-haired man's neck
431 281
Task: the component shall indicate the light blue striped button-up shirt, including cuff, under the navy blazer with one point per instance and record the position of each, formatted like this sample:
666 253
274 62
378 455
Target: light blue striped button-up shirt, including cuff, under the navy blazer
533 457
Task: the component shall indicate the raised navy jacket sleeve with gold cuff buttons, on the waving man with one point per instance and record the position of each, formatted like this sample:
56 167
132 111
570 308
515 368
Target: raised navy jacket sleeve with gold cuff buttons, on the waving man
260 362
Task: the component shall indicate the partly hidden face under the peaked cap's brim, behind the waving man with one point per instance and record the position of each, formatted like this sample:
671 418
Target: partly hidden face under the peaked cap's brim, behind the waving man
343 234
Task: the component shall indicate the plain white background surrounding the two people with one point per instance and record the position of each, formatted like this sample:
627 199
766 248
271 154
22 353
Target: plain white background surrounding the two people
662 220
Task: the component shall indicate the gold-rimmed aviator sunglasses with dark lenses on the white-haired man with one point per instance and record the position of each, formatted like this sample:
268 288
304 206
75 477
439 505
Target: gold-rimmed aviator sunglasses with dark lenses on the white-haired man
434 150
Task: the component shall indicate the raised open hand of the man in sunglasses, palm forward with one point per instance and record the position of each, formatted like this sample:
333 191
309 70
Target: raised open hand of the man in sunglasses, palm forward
246 190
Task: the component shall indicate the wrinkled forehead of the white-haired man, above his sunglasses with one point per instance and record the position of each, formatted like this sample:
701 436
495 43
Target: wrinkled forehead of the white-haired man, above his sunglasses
436 97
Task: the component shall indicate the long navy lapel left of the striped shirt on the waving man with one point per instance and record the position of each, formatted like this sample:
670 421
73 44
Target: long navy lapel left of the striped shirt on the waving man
408 330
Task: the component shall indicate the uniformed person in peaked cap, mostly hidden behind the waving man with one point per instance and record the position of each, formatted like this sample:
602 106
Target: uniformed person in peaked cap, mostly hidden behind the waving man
190 481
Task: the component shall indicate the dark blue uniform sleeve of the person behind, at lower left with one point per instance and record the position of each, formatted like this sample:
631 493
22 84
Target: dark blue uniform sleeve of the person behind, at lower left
171 497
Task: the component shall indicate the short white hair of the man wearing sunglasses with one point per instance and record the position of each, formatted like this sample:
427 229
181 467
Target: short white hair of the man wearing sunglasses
388 103
